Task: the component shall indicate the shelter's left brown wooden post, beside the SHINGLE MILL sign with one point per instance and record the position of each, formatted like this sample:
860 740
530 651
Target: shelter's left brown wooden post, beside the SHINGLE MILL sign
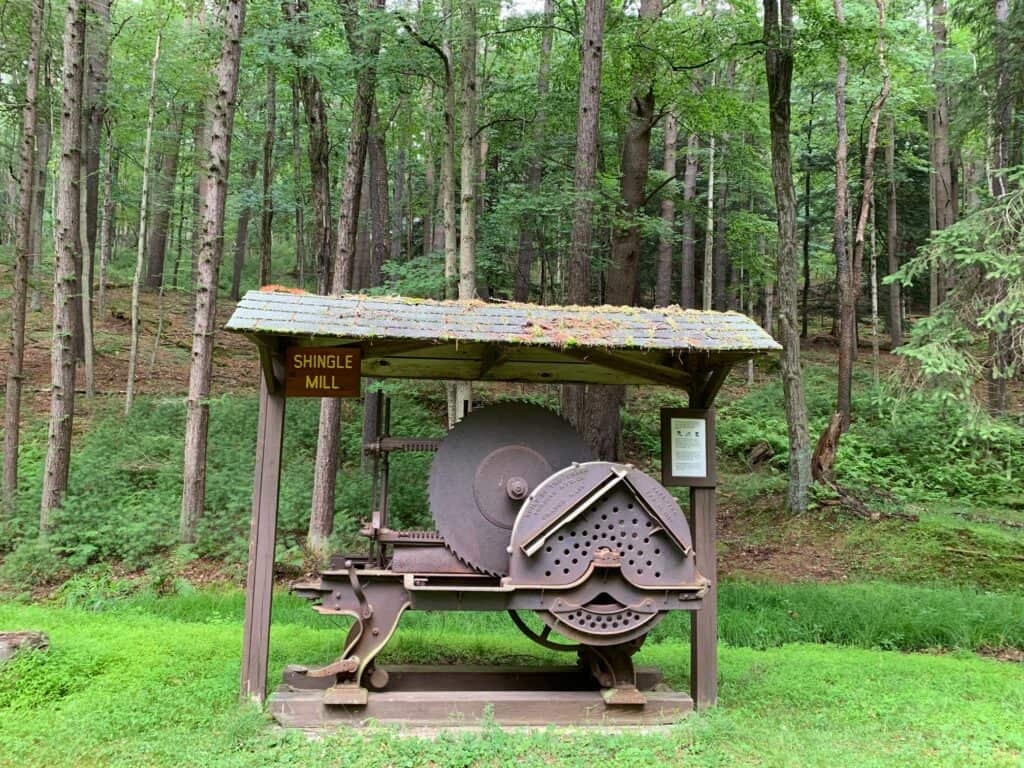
264 530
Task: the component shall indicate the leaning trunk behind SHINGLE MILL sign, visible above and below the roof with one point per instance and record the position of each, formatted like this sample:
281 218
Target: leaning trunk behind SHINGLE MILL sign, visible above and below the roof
365 44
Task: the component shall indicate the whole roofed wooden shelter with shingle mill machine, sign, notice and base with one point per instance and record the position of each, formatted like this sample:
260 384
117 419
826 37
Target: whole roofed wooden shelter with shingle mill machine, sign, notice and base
585 557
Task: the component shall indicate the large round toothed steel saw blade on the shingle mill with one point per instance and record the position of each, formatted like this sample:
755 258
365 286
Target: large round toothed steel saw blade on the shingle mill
484 464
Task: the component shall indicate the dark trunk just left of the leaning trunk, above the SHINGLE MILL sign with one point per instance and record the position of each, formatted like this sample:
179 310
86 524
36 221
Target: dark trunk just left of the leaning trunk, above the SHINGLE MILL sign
319 150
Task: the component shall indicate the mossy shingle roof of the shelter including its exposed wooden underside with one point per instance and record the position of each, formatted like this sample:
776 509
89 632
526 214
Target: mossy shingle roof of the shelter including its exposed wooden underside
422 339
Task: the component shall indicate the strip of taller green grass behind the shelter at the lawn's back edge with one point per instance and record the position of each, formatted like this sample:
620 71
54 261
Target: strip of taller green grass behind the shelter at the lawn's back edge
873 616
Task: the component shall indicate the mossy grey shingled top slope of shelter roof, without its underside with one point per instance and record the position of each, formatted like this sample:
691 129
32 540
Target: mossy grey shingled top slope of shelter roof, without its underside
358 317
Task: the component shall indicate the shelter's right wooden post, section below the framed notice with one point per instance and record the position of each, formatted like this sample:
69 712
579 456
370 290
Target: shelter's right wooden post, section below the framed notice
704 623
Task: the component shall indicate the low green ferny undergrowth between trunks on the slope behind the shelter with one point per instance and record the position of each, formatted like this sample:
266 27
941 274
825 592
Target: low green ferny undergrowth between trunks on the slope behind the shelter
904 452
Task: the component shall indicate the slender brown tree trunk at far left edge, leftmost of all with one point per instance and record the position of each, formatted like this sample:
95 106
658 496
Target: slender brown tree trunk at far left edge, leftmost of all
23 260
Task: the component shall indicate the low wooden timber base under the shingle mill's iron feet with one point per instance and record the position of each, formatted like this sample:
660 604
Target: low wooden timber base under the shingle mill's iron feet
454 697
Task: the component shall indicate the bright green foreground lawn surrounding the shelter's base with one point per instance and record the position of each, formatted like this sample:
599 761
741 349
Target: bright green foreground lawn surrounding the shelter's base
155 685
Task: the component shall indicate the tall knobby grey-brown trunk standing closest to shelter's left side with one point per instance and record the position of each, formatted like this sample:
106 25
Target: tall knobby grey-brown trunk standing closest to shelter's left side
221 120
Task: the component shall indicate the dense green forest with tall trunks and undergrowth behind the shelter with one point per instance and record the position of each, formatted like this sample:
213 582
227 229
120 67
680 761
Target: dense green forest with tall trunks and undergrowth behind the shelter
848 174
